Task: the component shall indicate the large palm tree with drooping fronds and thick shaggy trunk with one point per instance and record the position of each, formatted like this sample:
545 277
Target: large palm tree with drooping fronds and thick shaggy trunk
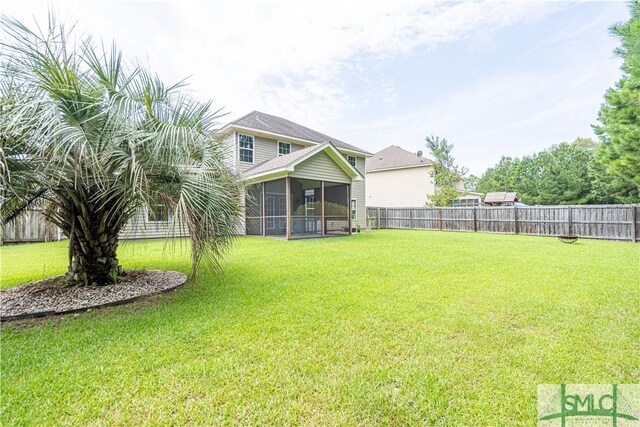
97 141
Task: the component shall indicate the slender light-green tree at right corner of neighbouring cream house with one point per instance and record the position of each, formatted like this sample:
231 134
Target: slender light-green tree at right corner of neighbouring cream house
446 174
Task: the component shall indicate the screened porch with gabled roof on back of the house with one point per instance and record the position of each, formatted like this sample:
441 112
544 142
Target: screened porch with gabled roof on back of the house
309 197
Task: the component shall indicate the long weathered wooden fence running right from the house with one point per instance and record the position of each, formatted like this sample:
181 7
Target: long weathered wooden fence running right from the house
612 222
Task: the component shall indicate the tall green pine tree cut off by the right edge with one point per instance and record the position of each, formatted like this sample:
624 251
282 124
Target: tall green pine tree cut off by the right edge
619 116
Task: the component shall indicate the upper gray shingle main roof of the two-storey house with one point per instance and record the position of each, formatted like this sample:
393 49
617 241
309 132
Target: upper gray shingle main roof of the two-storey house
267 122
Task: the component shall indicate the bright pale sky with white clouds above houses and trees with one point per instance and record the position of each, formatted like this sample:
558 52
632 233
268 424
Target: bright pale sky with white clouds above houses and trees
493 78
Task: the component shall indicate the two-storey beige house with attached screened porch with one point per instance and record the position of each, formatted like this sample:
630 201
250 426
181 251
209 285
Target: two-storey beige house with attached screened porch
298 182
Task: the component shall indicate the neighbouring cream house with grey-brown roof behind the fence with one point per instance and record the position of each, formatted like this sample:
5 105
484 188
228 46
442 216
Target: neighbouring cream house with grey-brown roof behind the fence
397 178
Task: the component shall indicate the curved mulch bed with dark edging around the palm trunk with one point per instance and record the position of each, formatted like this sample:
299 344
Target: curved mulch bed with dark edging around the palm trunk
49 296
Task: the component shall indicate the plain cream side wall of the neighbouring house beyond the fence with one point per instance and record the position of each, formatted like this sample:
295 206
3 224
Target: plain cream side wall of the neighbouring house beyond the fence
400 187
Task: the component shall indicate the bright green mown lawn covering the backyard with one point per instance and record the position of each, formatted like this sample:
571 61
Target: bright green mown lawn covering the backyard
388 327
